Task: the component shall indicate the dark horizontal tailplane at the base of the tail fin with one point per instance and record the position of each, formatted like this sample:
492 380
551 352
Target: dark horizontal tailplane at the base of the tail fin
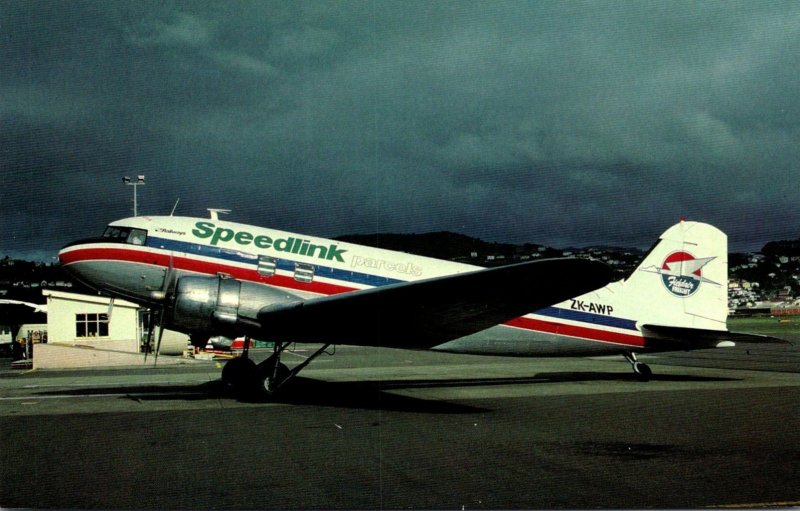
680 338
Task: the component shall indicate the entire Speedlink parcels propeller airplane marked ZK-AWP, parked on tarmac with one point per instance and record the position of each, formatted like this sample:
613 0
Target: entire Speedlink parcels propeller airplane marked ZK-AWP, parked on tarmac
207 277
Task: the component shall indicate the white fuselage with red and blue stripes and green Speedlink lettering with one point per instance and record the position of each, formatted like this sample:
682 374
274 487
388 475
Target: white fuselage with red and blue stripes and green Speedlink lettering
136 256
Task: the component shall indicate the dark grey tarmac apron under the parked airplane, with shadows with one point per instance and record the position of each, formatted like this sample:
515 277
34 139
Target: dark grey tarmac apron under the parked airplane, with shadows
373 428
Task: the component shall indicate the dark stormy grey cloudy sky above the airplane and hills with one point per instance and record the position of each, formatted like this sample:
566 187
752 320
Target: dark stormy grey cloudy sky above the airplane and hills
563 123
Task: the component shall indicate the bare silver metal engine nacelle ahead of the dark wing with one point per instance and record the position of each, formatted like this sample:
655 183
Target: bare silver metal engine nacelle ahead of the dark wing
221 306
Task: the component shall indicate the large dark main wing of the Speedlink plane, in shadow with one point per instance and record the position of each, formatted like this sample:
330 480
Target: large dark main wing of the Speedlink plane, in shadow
429 312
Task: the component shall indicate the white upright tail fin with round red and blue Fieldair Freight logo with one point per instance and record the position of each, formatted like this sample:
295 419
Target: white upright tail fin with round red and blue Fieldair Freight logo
682 282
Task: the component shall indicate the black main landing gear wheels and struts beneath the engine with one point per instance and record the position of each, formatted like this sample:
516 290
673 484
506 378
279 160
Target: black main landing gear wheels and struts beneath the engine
244 376
